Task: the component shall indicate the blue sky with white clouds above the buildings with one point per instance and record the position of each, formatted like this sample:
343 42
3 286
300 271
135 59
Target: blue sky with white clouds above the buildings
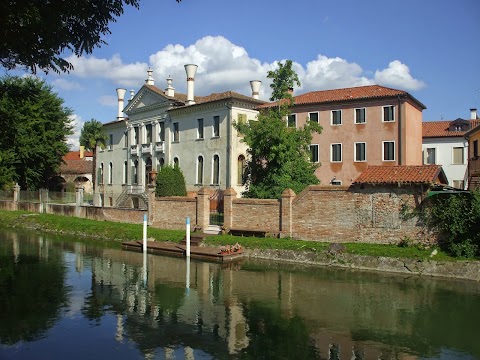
429 48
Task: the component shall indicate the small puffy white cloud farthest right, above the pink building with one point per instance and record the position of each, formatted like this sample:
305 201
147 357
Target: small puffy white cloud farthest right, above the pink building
398 75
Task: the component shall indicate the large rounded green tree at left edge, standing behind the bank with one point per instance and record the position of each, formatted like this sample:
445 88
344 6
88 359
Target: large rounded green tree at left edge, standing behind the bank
34 126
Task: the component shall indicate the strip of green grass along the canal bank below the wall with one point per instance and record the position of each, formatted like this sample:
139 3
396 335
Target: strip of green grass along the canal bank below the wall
112 231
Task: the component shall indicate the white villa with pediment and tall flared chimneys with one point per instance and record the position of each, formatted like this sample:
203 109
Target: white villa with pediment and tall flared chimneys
164 127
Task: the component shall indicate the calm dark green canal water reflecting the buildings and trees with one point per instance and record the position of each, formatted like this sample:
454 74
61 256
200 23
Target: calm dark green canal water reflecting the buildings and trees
67 299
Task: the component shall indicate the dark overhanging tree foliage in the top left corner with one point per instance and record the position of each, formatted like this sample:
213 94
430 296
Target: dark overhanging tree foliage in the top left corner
35 34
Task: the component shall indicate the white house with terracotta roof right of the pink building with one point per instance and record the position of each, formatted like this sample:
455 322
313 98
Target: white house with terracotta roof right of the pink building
444 144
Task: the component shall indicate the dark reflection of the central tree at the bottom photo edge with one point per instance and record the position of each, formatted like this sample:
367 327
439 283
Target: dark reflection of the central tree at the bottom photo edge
272 336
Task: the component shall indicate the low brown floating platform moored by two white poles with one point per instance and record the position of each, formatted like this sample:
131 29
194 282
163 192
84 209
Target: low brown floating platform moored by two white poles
180 250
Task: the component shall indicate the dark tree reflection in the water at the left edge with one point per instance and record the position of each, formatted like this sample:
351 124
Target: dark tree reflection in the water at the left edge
32 292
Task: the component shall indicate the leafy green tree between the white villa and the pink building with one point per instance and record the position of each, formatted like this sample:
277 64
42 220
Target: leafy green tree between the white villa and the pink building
279 156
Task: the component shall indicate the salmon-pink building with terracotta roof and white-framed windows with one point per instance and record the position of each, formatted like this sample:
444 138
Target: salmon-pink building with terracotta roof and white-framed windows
367 125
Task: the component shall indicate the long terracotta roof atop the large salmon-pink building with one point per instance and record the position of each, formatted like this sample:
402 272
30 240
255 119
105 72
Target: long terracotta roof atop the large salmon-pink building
347 94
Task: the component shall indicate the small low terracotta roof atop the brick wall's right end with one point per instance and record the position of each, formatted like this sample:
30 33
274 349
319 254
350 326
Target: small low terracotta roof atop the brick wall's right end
402 174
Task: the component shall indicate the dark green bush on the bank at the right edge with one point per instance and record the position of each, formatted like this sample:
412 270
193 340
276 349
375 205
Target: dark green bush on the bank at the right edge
456 218
